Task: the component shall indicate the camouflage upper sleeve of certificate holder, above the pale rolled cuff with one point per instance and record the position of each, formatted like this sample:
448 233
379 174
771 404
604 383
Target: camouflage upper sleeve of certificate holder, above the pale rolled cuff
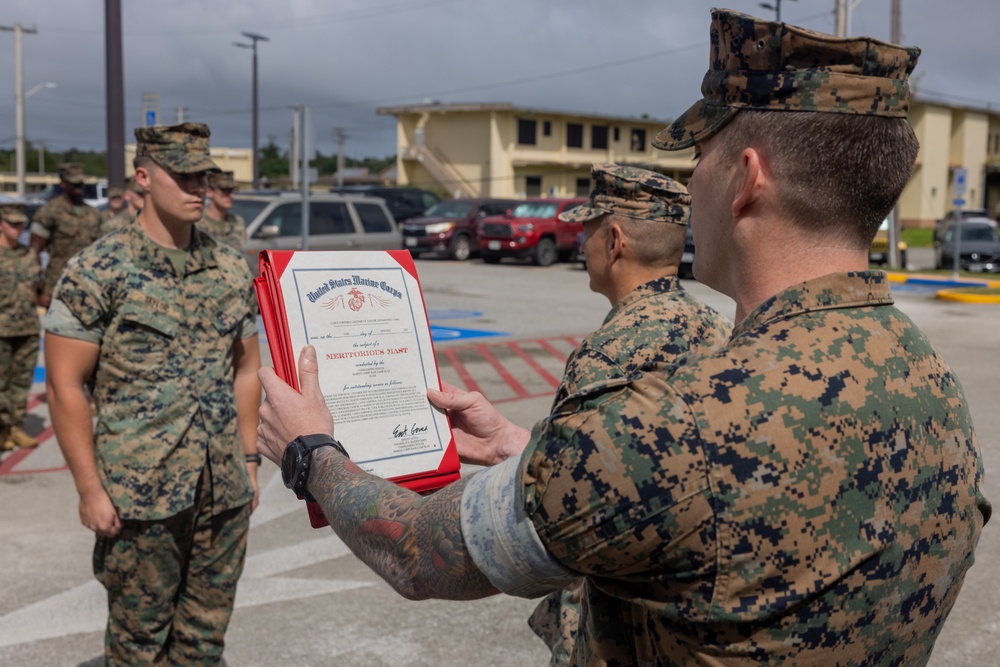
616 483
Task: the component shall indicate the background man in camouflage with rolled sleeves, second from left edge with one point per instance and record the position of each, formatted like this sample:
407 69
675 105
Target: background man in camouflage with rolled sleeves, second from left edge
64 226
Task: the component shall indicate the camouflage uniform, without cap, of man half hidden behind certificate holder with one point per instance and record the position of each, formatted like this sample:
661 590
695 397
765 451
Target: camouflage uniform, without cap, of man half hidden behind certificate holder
654 325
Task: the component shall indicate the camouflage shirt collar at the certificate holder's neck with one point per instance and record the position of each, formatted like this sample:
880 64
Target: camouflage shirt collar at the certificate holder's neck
829 292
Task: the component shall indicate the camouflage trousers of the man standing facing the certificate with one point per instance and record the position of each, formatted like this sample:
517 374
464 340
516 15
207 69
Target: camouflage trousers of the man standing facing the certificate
171 584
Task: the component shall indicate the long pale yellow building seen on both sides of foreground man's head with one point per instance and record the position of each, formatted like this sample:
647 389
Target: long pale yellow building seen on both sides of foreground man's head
501 150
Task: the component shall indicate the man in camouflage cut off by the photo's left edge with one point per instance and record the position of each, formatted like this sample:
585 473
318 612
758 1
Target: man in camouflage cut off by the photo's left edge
19 327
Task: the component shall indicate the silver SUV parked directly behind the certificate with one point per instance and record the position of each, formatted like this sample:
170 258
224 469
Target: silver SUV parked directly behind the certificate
336 222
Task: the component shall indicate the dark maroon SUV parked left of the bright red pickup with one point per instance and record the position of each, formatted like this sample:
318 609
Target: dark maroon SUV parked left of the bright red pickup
450 227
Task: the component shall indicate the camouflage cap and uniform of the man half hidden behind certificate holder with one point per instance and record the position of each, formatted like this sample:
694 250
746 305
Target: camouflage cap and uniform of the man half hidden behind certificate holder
654 325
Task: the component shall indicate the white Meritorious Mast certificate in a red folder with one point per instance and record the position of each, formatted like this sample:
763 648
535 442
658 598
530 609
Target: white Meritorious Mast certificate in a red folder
364 314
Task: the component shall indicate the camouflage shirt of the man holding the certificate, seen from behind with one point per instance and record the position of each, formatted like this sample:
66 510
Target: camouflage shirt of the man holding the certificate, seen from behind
811 493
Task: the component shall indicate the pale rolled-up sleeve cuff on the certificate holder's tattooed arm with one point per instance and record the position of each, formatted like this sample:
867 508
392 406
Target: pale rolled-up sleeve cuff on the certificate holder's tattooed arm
501 539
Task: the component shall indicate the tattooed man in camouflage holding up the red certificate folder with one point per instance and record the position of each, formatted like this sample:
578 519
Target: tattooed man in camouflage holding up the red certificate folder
808 494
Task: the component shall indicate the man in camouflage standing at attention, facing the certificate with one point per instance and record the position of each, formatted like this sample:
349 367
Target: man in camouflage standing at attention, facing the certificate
171 327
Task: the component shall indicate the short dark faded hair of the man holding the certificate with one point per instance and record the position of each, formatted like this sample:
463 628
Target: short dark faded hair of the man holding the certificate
839 174
